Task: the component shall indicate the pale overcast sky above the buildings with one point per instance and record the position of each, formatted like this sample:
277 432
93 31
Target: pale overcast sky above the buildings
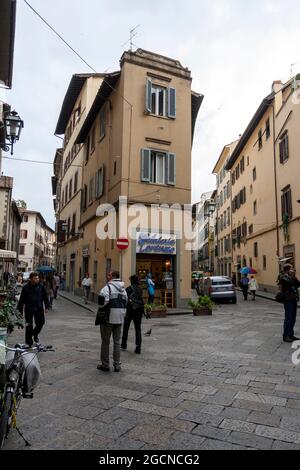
234 49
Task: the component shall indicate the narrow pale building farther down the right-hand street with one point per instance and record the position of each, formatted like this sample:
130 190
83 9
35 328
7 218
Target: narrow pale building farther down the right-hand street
223 242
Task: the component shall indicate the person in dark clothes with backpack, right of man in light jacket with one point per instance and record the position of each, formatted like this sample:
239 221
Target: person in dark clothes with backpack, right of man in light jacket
135 312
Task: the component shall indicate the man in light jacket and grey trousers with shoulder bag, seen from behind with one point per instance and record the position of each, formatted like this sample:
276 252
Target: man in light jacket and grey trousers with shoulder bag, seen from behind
115 294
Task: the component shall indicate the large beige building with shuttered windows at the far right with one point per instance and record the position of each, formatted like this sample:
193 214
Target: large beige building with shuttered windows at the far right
265 175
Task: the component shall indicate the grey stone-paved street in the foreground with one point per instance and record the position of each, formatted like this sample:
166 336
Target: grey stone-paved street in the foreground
226 382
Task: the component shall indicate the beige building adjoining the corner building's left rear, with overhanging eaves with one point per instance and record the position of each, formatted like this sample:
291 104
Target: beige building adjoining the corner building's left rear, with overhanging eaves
67 180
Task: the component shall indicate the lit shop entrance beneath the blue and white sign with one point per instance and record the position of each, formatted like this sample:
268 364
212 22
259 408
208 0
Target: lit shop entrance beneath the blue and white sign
162 268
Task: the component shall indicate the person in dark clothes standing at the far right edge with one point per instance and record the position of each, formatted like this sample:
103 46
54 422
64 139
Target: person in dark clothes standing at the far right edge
289 287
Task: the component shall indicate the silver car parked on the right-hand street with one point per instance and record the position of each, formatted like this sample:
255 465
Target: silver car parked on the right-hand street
217 288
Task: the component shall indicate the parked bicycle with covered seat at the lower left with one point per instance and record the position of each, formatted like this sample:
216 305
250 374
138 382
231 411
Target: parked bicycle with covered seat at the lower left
21 375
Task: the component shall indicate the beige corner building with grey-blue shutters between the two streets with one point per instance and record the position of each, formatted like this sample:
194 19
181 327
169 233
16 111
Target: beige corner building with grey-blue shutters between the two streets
136 143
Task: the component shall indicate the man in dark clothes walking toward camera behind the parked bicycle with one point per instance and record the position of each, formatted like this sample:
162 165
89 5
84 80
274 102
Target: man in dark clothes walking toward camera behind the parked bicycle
34 298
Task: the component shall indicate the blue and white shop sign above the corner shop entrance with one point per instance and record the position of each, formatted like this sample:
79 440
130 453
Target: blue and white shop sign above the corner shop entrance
155 243
